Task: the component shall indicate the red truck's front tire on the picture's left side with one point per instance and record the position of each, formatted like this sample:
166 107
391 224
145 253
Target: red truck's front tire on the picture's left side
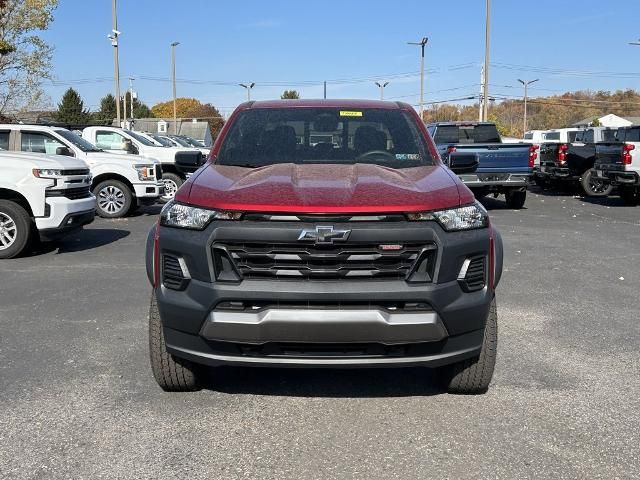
173 374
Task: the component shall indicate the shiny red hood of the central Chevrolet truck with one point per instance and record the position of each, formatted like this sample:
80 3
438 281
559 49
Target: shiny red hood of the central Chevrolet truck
323 189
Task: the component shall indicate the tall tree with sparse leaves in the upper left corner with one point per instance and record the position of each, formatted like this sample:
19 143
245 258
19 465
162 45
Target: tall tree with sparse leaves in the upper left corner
25 58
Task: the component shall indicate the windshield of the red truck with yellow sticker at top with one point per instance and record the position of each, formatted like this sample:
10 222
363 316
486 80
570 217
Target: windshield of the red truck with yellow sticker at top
261 137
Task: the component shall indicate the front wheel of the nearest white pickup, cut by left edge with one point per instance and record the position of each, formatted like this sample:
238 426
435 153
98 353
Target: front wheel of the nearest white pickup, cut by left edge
15 229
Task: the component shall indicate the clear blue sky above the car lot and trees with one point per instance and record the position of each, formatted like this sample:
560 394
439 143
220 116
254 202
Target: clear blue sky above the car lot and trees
280 44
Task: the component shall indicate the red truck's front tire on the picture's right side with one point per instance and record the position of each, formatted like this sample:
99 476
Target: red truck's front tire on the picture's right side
473 376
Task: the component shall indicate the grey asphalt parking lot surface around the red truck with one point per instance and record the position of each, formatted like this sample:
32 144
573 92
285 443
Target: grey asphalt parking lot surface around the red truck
77 398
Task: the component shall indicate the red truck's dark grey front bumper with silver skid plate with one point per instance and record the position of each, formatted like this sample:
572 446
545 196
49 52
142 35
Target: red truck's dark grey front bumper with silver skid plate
322 323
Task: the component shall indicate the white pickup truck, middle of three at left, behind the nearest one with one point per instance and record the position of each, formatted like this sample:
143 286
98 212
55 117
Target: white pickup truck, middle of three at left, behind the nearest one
121 184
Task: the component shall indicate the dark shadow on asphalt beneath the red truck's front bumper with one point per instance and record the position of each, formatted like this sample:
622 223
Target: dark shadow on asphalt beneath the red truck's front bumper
326 383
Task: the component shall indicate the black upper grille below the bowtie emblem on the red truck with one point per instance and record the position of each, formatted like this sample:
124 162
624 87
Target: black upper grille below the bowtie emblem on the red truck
307 262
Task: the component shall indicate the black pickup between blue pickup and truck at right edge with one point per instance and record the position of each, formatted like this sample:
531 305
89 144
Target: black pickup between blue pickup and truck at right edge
573 162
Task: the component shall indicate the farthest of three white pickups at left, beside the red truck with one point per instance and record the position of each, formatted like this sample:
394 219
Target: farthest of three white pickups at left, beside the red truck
118 140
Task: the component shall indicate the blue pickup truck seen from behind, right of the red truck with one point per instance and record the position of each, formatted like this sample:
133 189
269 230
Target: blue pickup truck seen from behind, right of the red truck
474 151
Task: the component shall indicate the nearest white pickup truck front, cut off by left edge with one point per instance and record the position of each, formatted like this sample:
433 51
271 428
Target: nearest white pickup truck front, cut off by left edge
41 194
